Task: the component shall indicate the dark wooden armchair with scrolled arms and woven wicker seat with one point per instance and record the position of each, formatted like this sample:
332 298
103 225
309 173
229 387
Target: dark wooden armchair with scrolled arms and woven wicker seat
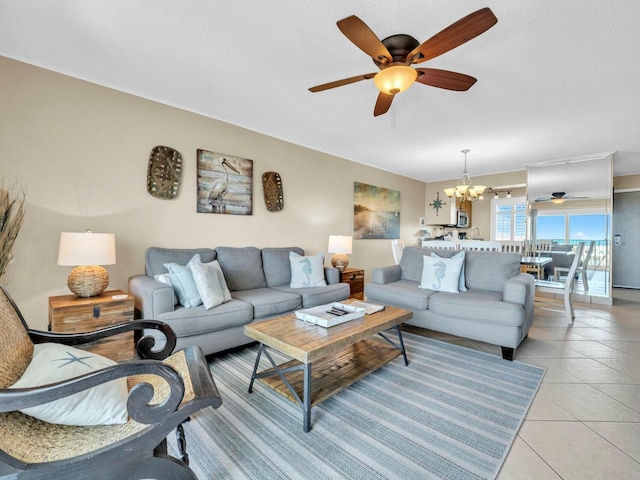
162 395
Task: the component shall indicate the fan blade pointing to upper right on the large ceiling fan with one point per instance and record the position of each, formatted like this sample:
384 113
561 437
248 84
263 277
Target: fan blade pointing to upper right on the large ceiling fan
454 35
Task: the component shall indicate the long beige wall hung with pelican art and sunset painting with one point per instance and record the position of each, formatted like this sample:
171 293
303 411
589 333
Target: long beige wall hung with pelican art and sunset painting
82 150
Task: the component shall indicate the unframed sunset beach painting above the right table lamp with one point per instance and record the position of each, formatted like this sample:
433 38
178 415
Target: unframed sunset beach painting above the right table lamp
376 212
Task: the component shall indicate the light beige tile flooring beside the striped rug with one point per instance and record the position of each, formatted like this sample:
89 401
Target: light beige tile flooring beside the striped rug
585 420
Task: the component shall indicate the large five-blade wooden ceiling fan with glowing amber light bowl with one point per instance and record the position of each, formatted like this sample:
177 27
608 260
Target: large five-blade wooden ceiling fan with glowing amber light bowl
396 53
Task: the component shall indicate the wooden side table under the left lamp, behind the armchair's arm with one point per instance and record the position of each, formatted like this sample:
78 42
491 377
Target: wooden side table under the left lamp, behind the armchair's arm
72 314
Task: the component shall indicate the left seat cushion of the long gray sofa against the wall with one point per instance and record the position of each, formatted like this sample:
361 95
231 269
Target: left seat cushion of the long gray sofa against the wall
195 321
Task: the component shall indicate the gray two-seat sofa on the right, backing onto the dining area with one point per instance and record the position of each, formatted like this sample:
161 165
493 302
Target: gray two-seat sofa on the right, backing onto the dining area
497 307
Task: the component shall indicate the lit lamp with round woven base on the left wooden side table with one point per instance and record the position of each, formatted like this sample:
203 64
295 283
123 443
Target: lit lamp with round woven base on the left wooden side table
87 252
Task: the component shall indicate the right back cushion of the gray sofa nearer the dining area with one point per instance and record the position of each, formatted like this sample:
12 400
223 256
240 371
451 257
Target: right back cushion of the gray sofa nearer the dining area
490 270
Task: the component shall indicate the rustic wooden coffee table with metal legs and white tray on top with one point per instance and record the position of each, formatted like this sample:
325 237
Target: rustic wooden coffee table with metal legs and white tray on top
340 355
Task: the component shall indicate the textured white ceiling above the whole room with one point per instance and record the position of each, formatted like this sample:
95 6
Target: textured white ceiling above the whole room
556 79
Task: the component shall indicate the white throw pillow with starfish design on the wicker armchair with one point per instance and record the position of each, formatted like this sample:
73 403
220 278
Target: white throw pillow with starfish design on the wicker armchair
101 405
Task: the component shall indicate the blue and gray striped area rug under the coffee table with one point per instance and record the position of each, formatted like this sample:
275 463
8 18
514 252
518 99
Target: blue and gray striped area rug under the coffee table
452 413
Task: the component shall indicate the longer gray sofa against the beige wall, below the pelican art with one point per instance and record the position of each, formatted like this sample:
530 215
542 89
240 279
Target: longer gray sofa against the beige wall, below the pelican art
258 280
